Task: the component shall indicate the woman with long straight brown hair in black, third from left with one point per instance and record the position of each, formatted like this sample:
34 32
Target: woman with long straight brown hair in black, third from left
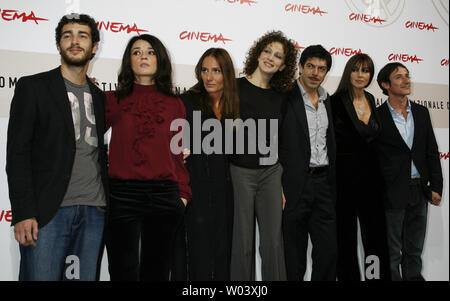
209 217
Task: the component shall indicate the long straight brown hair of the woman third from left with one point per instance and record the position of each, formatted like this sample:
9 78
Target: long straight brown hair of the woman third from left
229 103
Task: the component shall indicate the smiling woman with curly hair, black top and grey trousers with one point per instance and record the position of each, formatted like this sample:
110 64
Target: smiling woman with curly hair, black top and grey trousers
270 70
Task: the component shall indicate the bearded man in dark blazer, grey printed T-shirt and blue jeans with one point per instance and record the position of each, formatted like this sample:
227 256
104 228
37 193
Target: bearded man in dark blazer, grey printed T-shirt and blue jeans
56 161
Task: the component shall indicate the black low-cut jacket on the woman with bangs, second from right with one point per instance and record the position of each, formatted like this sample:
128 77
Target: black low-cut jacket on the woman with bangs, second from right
357 167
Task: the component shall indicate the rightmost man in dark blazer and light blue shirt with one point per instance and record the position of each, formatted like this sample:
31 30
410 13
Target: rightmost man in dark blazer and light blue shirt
409 161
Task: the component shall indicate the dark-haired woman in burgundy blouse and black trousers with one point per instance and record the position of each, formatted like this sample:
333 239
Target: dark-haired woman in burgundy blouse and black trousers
149 184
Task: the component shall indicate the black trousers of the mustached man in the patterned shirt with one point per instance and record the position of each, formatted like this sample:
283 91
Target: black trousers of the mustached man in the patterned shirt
314 215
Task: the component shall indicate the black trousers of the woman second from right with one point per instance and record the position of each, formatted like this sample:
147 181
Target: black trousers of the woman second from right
361 203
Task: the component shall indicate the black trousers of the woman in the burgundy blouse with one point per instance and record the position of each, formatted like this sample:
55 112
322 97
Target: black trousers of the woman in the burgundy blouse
142 220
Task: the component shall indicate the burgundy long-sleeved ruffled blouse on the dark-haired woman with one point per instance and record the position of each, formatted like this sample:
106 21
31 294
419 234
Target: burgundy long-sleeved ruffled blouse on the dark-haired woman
140 140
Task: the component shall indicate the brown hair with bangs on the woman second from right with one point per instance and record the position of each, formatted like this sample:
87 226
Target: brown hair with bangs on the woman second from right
356 61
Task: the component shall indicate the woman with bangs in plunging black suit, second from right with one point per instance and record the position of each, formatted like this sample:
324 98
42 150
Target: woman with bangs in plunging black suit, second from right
358 176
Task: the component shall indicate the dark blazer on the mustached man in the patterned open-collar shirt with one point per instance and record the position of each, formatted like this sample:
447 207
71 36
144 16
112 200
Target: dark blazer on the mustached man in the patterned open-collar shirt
295 147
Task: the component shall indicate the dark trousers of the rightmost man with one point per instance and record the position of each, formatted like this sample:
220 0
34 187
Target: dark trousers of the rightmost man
406 229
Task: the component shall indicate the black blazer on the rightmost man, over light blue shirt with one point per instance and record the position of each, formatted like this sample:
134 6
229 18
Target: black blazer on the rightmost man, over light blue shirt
395 157
